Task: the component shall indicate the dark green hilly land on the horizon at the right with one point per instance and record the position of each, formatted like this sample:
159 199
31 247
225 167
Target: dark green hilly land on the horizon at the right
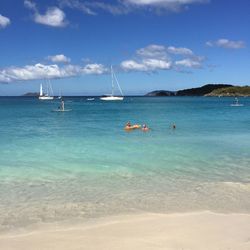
206 90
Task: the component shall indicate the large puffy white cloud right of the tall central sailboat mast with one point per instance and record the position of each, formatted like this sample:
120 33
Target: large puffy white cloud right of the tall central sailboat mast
154 57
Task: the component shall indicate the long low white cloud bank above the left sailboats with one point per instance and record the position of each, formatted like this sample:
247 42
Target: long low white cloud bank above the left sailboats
41 71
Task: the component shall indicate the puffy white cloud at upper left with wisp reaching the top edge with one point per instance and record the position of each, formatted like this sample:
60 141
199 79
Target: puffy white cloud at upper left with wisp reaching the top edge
54 16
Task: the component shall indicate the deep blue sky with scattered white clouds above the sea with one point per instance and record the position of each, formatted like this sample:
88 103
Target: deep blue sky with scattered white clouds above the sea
152 45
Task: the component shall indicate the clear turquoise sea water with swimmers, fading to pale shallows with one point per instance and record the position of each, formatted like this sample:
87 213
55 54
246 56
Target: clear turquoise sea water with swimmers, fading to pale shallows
82 164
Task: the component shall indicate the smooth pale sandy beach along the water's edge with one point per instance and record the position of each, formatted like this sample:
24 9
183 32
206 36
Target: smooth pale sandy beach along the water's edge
188 231
